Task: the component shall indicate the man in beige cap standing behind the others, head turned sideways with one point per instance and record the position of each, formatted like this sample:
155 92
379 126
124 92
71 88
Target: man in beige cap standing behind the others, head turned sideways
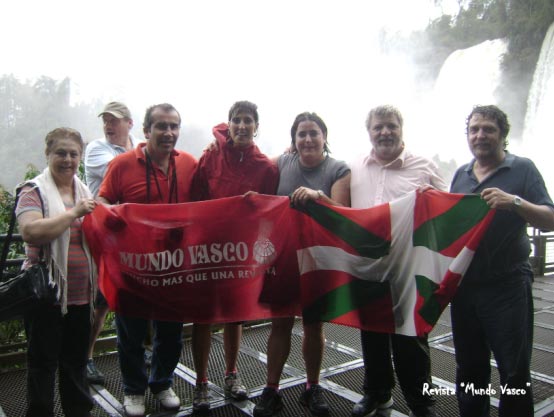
118 122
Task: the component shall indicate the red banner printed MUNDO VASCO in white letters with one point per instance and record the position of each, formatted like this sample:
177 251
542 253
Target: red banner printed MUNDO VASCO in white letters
231 259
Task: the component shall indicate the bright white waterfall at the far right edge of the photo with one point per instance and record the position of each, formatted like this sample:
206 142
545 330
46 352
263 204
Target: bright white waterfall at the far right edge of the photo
538 137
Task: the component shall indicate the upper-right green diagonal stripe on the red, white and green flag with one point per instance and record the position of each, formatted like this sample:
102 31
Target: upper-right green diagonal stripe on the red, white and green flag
440 232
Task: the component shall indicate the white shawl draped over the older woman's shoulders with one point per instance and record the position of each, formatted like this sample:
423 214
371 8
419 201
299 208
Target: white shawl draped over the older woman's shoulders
56 253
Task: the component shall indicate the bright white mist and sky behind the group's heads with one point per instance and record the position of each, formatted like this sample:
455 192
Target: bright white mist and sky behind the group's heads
338 60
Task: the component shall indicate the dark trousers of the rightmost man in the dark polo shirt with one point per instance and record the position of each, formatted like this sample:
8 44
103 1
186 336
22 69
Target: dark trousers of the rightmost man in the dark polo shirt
495 318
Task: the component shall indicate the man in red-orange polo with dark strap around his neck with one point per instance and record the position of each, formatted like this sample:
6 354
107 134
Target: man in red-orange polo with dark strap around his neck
153 173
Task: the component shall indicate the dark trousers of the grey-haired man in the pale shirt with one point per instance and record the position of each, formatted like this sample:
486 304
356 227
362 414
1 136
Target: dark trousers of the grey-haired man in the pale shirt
412 363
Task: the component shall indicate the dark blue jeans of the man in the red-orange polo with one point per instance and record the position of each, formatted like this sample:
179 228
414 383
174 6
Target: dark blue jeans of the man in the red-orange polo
167 347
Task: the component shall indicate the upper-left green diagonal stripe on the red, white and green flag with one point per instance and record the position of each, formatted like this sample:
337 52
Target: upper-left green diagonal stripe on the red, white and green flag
362 240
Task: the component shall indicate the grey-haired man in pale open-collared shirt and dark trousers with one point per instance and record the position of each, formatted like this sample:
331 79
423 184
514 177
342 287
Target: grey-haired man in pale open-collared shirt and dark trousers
388 173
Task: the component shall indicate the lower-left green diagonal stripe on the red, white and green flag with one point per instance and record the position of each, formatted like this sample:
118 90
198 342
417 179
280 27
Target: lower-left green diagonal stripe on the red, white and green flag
344 299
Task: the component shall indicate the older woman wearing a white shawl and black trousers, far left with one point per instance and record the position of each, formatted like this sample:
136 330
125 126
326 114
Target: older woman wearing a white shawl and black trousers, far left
49 214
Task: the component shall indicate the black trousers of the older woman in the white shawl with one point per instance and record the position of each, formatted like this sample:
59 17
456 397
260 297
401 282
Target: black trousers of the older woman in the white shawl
58 342
